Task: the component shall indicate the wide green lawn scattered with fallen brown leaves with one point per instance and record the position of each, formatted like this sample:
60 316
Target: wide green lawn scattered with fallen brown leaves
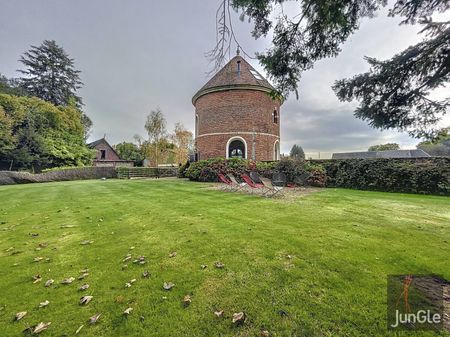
342 245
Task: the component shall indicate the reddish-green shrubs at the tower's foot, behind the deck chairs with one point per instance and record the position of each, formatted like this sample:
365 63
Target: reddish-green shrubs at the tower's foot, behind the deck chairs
297 172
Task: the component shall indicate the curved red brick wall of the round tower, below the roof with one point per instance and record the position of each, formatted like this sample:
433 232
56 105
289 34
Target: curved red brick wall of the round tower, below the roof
237 113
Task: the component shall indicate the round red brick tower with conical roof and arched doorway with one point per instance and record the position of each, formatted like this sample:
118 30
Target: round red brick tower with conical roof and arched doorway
235 116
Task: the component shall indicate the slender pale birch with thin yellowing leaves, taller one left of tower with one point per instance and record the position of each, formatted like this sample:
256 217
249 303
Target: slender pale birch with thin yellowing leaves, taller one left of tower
157 134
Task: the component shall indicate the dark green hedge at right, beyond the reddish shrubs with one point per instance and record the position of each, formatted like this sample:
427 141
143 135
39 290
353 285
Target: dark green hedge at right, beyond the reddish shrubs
428 176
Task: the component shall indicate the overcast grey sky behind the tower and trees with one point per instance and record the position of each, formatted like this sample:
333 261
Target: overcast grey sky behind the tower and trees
136 55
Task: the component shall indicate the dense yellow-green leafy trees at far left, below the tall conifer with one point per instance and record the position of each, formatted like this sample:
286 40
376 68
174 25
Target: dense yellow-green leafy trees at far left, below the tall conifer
37 134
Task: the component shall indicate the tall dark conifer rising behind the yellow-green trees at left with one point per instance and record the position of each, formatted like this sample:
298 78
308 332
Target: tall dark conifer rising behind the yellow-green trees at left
50 74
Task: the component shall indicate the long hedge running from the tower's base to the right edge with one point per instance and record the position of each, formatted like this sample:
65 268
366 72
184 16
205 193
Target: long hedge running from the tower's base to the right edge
421 175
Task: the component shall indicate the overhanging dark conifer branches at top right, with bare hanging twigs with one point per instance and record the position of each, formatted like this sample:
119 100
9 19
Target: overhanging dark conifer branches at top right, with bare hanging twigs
393 94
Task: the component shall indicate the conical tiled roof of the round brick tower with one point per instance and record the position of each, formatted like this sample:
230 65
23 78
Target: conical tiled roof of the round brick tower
229 78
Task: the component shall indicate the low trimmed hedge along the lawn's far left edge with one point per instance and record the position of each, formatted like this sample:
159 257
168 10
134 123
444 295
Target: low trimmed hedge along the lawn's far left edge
79 173
